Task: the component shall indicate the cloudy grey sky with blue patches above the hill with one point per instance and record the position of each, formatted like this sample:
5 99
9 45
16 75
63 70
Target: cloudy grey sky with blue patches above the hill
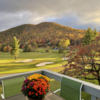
75 13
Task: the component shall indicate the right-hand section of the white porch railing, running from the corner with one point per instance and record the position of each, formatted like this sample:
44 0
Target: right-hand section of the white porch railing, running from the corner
87 87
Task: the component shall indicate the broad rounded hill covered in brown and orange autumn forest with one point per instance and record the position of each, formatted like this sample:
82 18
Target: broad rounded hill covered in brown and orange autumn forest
43 33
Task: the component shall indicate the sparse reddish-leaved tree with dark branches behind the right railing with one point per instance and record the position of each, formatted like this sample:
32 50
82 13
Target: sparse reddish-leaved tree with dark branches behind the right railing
84 61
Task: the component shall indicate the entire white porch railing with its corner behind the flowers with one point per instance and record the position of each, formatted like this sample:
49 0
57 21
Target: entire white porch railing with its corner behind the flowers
93 90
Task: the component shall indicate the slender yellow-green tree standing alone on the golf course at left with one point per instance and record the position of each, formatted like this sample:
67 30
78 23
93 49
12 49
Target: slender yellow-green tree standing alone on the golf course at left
15 48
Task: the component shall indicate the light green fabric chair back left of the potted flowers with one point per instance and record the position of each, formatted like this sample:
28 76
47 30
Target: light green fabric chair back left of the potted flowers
12 86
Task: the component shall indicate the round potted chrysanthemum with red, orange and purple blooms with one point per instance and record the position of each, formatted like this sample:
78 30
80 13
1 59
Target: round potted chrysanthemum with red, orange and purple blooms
35 87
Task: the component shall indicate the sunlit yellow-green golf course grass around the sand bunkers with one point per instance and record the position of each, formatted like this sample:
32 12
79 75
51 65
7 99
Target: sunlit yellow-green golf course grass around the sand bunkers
8 65
